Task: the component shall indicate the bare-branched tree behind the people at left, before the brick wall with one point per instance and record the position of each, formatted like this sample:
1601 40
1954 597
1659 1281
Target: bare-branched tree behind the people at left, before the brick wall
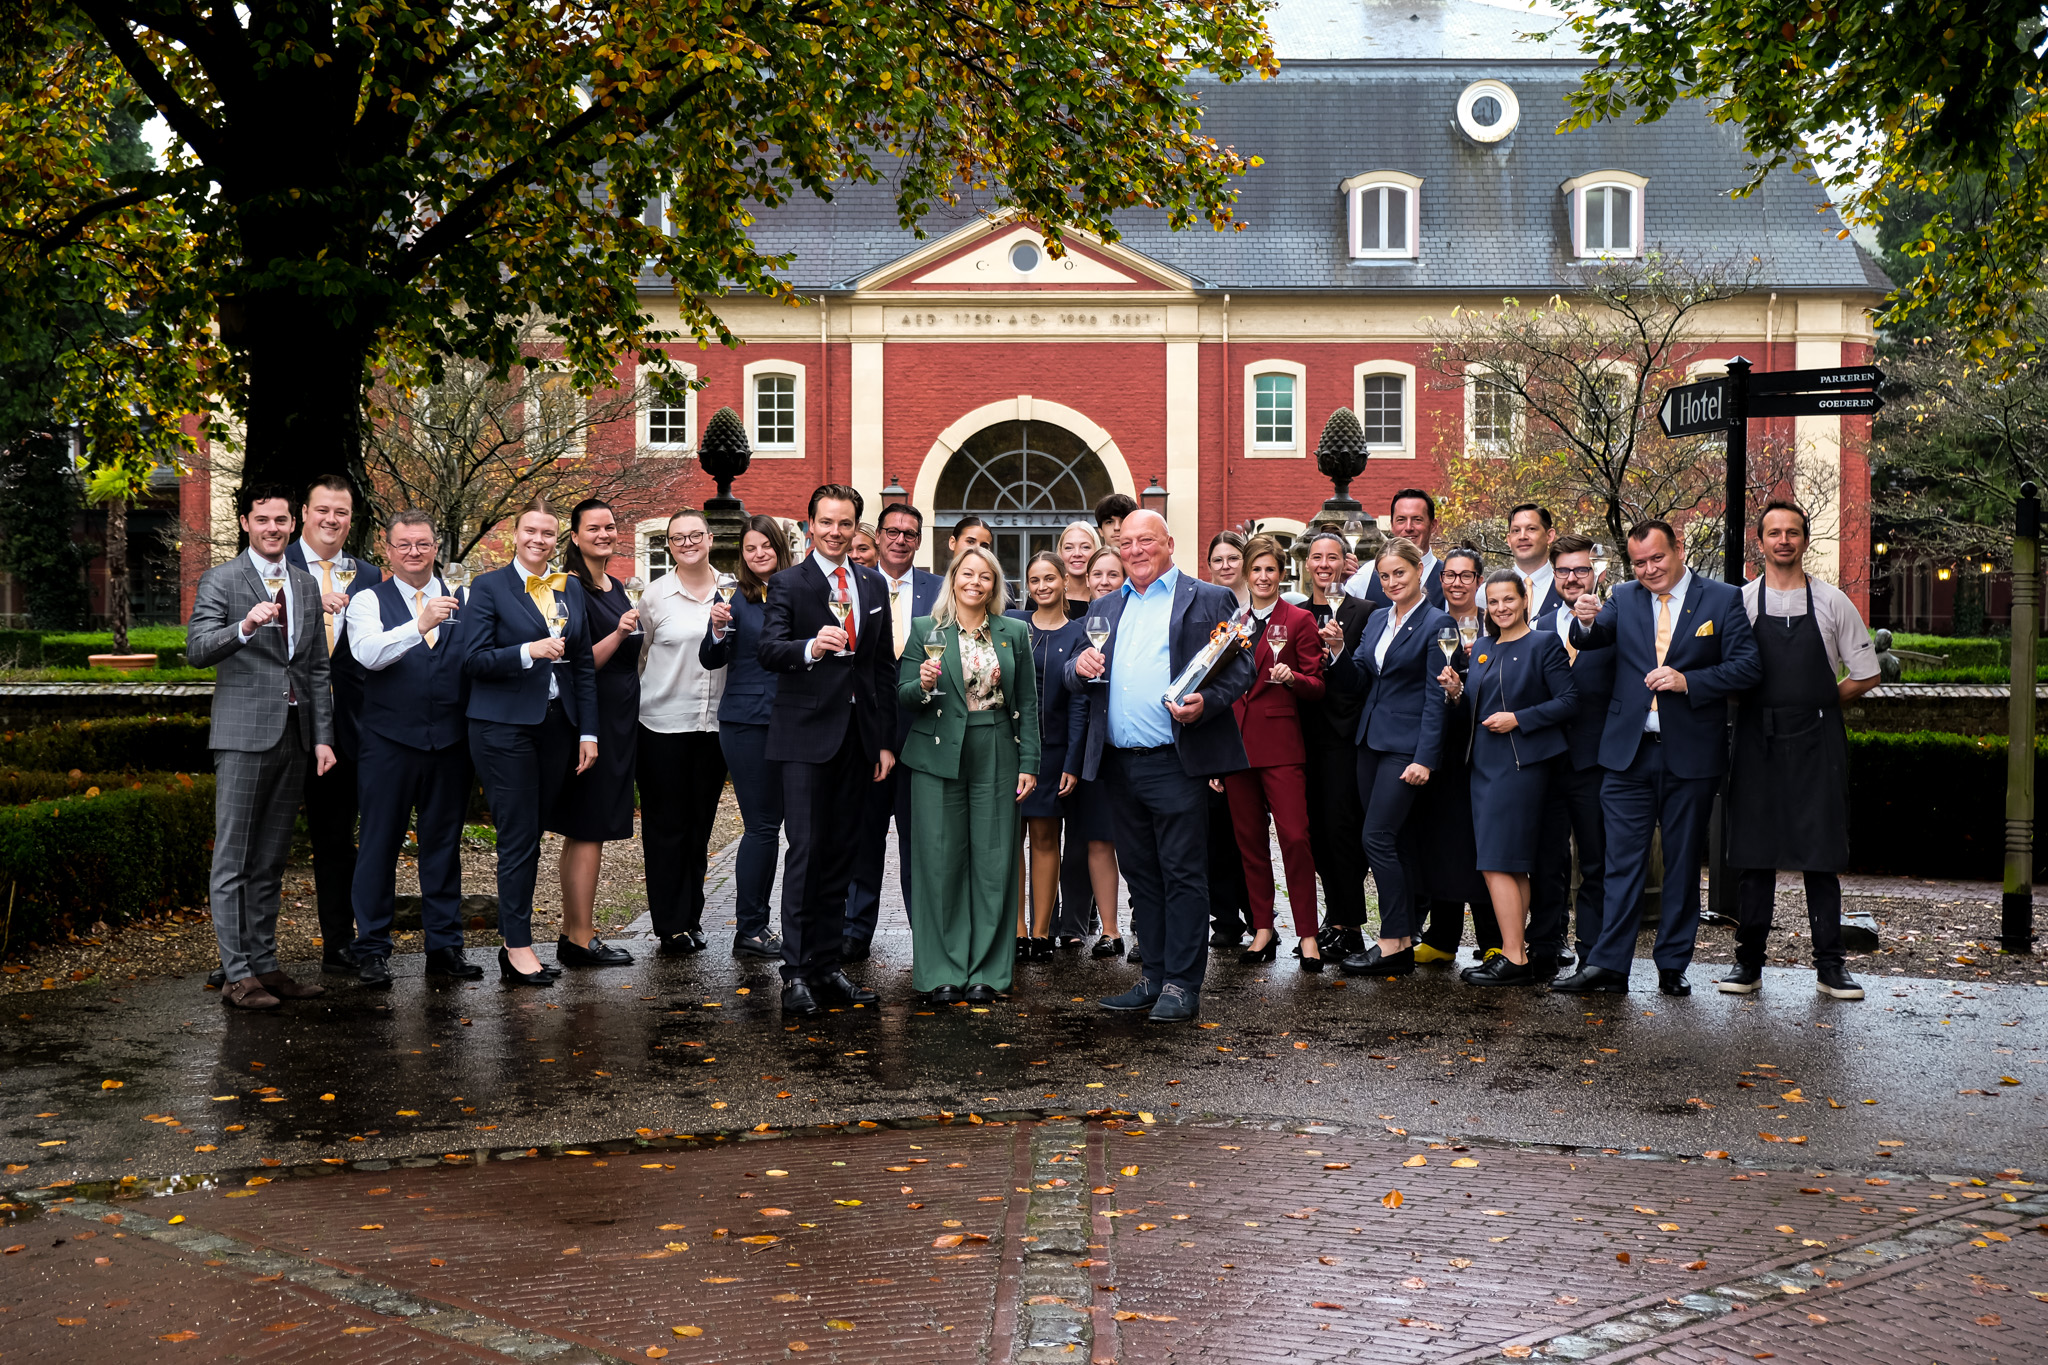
472 449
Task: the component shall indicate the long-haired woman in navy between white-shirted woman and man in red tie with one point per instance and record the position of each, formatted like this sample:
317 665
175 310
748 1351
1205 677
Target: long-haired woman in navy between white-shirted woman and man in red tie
744 707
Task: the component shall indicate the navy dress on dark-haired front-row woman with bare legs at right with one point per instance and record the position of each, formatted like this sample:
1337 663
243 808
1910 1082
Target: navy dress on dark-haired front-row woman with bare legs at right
1512 773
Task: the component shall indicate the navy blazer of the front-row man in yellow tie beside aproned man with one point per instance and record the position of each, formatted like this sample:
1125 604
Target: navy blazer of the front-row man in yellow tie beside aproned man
1711 646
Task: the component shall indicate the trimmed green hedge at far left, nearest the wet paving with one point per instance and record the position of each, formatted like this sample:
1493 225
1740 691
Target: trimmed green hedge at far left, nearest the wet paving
112 856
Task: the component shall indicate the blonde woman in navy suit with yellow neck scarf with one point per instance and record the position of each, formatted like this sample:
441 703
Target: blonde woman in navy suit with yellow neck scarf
534 717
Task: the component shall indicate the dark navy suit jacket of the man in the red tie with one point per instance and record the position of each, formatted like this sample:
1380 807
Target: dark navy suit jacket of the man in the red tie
816 701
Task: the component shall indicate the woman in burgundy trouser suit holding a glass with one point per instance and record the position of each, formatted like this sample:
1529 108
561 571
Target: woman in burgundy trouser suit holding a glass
1289 656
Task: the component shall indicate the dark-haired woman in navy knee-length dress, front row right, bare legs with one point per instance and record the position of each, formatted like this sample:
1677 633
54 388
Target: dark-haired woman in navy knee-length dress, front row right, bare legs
1523 693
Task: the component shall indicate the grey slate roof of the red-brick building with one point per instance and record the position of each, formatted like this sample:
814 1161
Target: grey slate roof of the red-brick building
1492 216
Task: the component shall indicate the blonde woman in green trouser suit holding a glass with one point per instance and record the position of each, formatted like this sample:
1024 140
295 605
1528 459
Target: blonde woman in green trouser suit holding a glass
972 758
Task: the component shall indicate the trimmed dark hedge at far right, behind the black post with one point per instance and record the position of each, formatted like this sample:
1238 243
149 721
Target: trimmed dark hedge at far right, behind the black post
1934 805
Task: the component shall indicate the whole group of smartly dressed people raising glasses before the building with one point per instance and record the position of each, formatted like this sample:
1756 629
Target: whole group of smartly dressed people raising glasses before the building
1469 738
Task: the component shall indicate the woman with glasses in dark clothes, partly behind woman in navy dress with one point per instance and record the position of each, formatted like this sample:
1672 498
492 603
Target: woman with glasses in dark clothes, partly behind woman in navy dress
1449 879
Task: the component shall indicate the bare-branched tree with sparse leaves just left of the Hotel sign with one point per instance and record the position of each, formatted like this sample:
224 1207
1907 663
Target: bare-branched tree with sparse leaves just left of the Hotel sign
1562 410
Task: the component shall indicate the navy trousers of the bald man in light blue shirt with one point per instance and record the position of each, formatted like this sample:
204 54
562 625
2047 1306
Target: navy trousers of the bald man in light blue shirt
1162 846
